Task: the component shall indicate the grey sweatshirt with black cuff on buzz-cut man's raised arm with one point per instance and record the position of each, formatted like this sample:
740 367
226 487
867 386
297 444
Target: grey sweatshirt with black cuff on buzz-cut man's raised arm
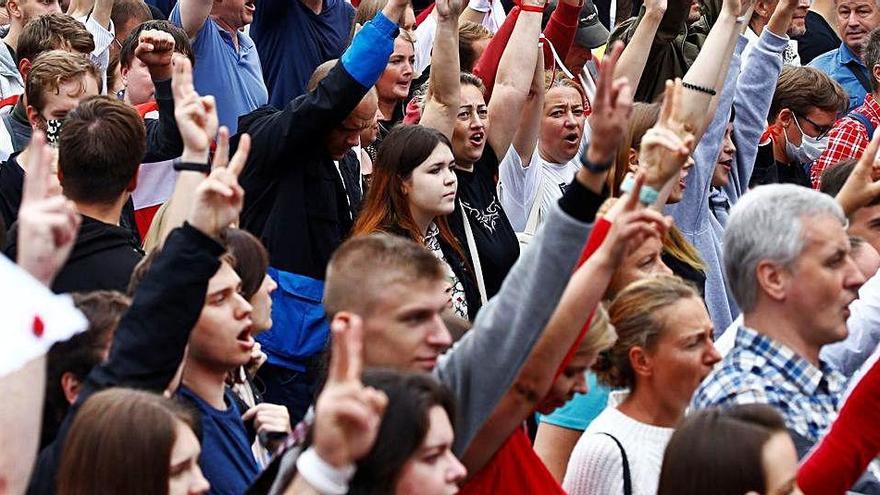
481 367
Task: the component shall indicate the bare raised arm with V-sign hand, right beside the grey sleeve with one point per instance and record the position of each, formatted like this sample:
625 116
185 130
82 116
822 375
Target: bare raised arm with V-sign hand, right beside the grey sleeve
584 291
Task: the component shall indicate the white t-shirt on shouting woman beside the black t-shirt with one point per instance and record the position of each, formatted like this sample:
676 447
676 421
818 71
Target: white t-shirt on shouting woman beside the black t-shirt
518 186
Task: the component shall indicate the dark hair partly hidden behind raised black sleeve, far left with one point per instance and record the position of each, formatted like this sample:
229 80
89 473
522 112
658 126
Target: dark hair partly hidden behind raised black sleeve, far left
81 353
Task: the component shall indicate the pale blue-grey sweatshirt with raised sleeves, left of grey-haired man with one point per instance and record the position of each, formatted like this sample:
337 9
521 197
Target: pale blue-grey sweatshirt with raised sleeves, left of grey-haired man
752 89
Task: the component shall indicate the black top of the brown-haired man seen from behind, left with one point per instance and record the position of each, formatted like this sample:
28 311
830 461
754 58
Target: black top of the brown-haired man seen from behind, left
102 258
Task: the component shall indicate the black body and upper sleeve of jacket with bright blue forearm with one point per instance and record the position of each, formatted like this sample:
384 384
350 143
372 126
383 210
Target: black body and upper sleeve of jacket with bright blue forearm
295 201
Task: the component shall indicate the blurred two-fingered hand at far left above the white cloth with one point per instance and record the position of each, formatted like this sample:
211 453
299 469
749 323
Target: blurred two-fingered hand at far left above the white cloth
47 221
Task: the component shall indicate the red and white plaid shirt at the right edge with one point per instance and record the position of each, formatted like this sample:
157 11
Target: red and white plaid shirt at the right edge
848 139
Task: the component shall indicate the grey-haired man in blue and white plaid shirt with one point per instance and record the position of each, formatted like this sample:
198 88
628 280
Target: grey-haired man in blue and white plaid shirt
788 263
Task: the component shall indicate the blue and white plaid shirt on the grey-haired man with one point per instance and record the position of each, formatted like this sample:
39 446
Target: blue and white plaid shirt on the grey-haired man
759 370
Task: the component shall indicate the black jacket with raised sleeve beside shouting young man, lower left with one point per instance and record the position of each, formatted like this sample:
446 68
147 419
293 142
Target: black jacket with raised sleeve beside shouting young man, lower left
149 342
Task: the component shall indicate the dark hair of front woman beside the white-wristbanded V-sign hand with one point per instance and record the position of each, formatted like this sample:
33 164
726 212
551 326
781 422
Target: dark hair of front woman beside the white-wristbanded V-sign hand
404 425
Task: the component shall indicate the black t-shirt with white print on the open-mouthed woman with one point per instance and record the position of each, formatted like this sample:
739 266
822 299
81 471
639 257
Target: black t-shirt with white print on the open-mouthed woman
495 239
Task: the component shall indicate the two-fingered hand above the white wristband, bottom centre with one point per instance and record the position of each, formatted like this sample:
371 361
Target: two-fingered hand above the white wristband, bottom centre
347 414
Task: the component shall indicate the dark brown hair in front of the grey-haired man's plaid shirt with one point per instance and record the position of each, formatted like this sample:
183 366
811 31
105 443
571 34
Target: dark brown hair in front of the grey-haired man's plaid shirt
719 451
